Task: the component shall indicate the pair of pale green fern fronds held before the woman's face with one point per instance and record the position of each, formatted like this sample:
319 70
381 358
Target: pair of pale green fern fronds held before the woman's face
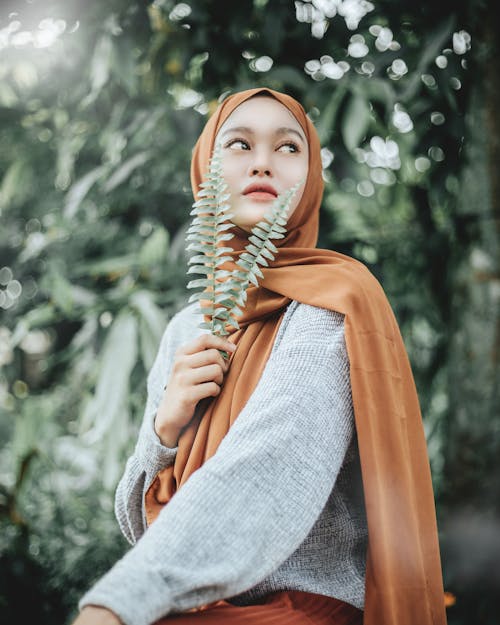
224 292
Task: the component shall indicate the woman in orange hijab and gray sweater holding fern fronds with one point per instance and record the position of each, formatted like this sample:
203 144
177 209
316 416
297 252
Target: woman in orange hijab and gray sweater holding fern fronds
257 506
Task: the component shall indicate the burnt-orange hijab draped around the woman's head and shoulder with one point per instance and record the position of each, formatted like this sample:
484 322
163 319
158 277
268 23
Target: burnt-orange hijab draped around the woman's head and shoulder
403 576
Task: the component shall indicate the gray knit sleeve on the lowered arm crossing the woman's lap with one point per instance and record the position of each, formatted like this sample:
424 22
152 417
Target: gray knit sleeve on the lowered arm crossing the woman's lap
251 505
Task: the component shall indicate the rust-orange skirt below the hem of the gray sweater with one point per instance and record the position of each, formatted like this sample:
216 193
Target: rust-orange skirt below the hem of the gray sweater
291 607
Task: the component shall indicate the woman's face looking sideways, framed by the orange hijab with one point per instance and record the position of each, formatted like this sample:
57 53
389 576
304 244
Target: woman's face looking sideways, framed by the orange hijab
264 153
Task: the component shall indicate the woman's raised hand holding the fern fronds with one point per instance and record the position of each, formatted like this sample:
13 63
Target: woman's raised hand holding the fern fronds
197 372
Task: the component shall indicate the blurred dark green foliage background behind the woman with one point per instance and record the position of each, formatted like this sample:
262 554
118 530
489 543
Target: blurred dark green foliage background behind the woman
96 132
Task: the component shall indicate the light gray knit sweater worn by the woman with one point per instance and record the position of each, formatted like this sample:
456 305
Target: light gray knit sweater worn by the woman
278 507
